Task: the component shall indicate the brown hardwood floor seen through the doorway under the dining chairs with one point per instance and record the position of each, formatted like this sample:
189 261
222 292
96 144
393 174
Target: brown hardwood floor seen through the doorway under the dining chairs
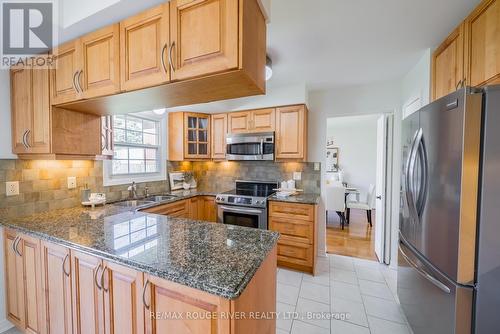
356 240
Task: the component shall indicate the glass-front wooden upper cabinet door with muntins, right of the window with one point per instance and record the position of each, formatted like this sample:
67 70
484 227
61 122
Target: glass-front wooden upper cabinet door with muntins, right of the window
197 132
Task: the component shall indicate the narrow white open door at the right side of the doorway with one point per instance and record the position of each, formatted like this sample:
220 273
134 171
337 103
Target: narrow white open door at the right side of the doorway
380 188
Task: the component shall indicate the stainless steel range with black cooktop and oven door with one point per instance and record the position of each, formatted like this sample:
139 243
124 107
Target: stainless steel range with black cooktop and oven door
246 205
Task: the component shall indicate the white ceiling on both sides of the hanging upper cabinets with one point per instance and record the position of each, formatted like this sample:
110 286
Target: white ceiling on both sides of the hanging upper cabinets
320 43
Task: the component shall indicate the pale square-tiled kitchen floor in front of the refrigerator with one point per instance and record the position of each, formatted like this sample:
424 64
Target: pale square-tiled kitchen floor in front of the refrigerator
363 290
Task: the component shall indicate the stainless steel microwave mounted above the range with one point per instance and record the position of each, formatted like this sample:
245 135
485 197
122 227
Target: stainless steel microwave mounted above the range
250 146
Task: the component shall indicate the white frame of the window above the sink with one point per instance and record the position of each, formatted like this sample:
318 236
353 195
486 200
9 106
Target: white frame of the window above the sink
113 180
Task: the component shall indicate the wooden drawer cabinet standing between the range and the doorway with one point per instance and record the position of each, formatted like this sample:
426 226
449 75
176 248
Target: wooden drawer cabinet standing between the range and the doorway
297 225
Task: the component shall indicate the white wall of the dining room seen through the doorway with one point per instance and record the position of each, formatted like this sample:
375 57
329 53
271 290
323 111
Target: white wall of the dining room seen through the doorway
356 138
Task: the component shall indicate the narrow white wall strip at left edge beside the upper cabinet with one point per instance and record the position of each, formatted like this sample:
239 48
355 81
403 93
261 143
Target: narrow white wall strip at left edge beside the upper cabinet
5 127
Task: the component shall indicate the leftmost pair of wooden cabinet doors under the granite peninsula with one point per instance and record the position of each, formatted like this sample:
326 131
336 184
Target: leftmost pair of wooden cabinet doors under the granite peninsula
22 267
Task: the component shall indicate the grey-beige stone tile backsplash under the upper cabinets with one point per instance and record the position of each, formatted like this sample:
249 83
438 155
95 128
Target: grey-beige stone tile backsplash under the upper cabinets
43 184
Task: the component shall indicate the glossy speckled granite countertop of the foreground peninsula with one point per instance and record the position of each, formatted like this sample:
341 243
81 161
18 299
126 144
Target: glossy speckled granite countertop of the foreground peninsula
215 258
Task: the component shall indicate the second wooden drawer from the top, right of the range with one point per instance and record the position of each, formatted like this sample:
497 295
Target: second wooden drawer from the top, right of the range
297 230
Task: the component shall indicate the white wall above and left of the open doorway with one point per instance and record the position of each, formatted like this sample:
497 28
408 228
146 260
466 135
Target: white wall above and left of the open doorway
375 98
